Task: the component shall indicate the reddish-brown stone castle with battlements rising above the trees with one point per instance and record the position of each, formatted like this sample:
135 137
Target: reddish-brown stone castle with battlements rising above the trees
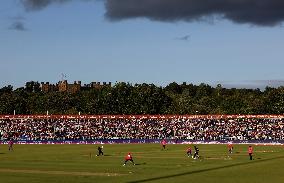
64 86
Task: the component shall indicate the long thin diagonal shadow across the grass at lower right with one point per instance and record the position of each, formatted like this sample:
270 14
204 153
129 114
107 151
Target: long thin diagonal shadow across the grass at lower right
205 170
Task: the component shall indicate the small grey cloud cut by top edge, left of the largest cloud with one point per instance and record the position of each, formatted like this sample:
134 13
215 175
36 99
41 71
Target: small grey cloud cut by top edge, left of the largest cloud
40 4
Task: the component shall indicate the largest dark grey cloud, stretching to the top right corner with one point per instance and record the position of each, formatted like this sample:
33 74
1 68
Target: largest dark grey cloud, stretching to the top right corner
257 12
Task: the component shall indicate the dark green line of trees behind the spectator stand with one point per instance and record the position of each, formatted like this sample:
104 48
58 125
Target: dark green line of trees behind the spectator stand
126 98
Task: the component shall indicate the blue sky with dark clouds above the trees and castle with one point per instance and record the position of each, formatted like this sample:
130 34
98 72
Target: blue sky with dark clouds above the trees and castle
236 43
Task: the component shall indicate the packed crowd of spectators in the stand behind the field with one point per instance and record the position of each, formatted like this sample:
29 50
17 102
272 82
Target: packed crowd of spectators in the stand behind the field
191 129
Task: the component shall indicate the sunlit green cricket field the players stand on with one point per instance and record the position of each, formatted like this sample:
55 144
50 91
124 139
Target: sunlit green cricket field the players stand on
78 163
